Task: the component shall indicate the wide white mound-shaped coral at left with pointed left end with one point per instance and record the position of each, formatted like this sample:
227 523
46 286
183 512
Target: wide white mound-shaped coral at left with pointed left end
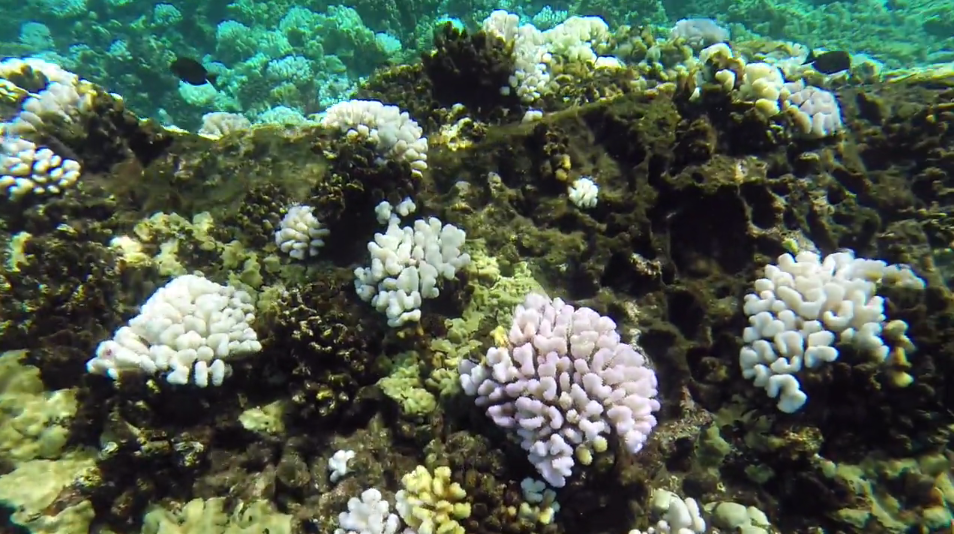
187 329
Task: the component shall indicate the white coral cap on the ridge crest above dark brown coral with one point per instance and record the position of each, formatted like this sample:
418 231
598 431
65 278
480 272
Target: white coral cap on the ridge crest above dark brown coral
396 136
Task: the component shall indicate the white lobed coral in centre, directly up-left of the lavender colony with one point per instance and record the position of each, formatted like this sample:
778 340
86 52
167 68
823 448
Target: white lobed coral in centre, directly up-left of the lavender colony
407 264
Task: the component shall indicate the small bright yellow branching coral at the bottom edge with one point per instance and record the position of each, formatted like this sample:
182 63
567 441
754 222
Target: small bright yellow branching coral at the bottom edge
432 504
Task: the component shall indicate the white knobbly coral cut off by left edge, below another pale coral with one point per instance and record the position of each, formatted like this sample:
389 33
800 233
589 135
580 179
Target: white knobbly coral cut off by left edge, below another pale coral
27 169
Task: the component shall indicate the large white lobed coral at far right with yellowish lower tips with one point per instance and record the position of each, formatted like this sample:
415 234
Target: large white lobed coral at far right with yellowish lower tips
803 306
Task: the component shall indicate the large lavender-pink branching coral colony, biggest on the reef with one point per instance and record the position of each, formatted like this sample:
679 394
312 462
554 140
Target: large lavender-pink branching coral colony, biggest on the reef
562 384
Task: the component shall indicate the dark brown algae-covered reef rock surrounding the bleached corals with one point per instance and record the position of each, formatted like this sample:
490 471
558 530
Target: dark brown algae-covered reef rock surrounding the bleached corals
697 193
